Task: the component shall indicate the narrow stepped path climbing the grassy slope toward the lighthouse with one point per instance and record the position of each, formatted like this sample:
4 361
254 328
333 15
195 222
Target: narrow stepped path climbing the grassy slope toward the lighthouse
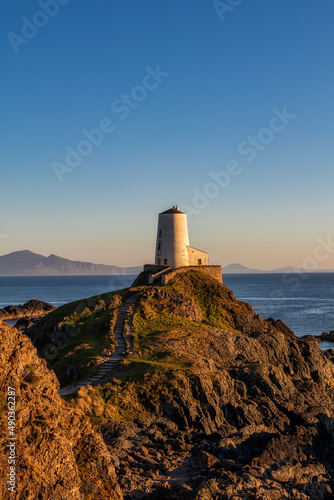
121 351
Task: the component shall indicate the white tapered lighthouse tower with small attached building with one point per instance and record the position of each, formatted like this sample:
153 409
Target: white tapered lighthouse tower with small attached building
172 247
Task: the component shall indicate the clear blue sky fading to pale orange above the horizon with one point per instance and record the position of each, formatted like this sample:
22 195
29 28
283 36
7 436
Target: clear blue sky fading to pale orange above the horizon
225 111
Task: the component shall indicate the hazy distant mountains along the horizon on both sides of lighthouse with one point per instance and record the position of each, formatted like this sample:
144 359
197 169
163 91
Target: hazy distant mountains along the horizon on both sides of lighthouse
26 263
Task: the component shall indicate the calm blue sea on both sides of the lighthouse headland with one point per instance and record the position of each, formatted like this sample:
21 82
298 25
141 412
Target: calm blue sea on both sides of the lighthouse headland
305 303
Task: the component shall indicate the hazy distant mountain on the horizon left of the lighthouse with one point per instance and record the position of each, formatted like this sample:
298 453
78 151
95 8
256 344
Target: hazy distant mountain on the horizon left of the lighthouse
26 263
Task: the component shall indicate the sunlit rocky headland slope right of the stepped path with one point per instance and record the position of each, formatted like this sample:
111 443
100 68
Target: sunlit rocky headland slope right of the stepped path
252 417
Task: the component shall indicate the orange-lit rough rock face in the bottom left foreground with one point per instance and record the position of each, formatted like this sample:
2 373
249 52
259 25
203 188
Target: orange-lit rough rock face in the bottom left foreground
58 456
